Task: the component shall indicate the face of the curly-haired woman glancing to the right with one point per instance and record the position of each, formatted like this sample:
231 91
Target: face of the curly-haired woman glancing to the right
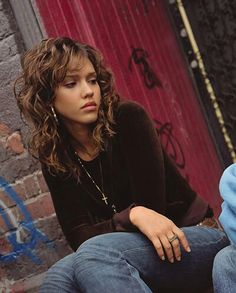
78 97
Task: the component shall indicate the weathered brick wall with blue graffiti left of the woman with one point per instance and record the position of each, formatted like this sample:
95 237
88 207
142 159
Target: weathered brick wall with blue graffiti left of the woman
30 237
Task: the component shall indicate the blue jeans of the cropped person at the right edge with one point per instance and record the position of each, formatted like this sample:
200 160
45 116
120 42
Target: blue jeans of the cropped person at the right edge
224 270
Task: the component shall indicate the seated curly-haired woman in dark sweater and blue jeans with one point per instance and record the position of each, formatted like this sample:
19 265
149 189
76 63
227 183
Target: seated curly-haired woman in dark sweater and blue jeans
118 198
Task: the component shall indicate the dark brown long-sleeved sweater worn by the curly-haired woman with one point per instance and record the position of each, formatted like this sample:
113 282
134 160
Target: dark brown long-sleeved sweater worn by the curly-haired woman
135 171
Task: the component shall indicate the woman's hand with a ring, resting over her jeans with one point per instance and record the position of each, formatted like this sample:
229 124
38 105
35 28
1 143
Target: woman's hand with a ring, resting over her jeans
160 231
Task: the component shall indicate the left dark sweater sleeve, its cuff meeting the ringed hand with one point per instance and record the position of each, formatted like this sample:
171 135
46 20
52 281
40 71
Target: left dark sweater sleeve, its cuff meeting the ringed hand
76 222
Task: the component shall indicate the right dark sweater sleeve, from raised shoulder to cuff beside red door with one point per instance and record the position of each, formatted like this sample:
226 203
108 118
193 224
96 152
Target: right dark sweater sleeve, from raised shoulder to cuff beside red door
155 181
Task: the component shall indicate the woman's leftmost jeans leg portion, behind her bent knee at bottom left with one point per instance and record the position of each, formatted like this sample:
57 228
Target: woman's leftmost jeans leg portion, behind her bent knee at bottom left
60 277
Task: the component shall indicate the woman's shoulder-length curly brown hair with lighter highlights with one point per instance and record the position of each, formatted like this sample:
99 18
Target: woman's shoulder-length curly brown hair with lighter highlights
44 67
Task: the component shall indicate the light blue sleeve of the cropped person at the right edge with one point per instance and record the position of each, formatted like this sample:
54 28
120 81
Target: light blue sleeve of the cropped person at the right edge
228 193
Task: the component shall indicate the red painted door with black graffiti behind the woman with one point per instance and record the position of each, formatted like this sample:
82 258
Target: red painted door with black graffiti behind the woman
138 41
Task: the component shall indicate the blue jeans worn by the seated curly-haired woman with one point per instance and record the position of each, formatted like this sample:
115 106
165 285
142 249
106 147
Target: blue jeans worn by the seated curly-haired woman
127 262
